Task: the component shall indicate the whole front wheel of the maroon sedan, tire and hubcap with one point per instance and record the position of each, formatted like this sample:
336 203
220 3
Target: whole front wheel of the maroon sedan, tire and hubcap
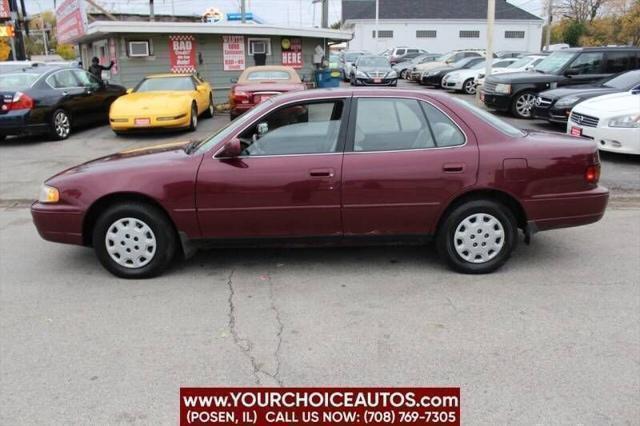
134 240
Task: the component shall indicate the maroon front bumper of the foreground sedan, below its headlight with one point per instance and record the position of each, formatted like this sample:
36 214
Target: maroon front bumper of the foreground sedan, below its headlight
60 224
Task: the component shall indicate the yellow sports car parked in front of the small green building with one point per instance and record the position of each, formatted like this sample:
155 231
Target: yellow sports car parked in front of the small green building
162 101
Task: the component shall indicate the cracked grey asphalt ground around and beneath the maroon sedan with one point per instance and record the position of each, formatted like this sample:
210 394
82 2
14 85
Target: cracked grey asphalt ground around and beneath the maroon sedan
553 337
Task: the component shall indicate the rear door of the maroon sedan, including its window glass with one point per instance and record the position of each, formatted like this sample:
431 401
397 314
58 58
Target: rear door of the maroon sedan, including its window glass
404 159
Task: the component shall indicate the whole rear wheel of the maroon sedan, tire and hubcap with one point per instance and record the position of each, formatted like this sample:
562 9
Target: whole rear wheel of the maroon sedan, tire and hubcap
477 237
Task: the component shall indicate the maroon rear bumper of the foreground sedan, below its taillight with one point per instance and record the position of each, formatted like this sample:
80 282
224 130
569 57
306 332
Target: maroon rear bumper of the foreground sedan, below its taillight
567 210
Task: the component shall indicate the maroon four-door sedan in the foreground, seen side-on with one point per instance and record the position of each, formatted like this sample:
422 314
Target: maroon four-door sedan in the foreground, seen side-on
349 166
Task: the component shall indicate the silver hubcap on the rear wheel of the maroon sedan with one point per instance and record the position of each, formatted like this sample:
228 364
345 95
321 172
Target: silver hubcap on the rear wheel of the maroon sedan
479 238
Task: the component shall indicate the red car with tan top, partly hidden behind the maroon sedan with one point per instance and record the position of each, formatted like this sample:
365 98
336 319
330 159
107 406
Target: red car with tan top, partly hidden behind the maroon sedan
257 84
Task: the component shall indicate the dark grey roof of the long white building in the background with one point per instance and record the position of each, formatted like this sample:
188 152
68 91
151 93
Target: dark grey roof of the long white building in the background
430 9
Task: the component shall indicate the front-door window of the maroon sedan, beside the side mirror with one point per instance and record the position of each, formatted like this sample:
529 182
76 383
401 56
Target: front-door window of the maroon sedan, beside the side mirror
308 128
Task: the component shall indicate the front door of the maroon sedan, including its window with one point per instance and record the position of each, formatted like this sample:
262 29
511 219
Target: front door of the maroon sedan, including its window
286 182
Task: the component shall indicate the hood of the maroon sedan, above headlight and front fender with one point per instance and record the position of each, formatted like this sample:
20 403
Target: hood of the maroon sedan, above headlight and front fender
137 157
